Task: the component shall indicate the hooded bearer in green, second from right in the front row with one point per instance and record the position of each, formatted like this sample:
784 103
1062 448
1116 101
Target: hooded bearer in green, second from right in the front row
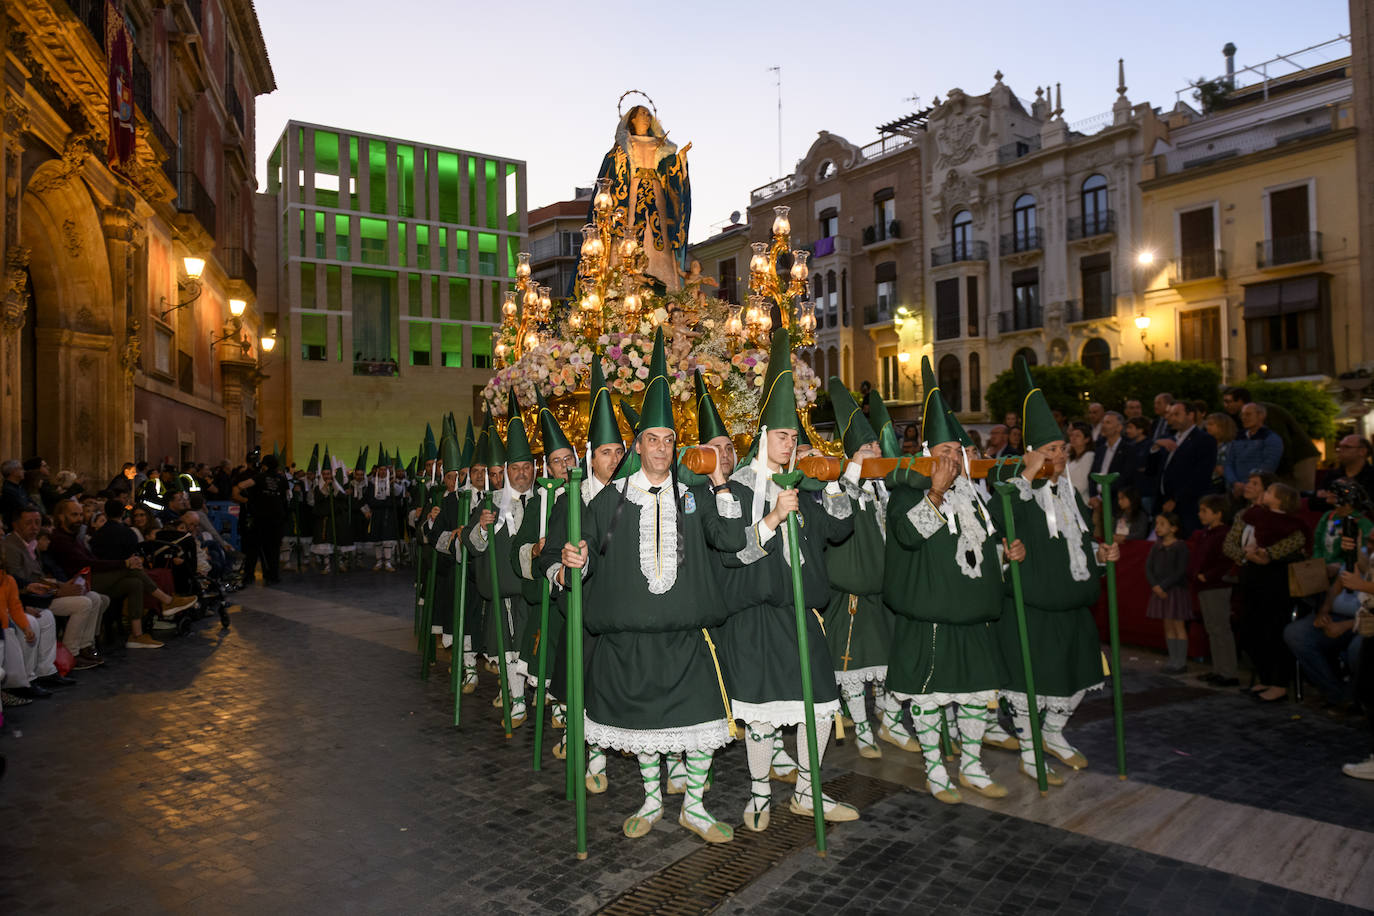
945 580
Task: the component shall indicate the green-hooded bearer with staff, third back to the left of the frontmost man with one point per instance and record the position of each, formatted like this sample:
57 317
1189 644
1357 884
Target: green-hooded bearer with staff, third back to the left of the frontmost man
508 513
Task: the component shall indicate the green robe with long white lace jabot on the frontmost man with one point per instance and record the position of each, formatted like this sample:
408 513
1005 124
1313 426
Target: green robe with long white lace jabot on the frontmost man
651 593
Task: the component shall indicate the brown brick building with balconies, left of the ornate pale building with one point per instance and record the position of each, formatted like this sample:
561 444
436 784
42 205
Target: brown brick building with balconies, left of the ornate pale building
859 212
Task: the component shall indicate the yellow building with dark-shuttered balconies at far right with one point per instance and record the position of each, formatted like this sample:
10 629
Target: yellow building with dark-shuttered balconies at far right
1252 222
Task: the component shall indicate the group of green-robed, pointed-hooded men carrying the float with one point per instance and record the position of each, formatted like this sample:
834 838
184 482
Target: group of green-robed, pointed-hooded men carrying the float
689 591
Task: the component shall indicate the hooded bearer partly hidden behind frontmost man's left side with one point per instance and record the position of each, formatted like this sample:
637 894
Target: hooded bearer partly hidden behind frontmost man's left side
605 451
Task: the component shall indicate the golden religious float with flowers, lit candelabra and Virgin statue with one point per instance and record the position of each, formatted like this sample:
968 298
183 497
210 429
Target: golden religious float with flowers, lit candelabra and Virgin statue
634 277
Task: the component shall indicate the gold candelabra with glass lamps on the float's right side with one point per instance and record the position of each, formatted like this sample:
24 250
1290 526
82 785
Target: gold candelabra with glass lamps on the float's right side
773 284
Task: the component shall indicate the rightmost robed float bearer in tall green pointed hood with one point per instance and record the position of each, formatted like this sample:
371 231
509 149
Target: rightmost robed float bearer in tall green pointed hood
1060 586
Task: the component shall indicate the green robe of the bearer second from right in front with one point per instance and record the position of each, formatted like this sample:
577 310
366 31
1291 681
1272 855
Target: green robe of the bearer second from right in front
945 641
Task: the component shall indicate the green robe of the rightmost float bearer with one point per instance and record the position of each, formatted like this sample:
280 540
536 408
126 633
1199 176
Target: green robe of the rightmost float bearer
1066 649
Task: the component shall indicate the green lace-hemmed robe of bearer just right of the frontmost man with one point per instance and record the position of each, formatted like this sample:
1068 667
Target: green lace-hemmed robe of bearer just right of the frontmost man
759 642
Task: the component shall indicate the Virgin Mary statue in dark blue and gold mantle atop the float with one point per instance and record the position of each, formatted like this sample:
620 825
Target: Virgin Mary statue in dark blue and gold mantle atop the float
649 182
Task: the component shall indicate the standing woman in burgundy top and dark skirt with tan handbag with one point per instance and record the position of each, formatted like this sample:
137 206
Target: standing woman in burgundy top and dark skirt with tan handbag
1265 540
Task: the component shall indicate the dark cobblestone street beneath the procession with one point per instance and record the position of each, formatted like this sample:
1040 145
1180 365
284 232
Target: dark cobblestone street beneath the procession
297 764
